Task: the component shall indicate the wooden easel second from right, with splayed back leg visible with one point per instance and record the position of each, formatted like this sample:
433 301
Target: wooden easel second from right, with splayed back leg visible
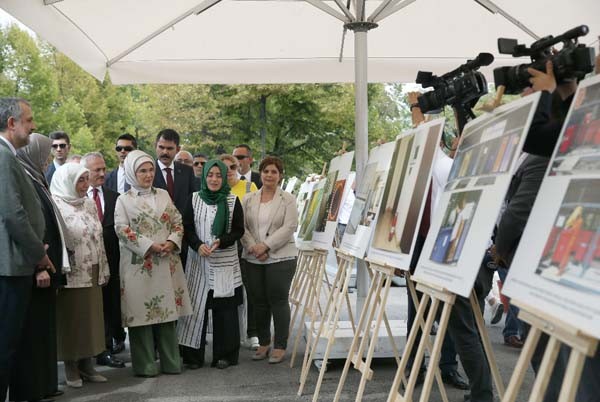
444 299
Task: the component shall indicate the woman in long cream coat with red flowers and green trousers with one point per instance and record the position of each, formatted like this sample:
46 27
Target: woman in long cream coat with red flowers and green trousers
153 287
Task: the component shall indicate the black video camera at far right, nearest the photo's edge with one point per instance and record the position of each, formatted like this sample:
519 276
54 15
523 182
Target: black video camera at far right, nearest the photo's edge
573 61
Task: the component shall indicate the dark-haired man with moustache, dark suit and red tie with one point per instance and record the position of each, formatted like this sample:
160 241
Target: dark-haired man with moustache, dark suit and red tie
177 178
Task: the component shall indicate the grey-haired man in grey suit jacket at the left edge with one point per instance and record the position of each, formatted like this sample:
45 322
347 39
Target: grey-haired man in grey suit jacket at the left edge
21 233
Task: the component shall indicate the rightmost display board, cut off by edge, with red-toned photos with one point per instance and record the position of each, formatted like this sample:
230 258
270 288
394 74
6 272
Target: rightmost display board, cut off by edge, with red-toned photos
556 268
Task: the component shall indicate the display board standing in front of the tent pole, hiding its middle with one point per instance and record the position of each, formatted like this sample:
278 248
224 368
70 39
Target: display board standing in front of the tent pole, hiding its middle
366 203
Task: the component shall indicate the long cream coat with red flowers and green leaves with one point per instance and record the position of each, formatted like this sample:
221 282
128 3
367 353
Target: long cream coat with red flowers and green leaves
153 290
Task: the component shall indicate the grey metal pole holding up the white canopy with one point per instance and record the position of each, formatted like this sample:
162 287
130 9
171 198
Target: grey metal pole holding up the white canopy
361 131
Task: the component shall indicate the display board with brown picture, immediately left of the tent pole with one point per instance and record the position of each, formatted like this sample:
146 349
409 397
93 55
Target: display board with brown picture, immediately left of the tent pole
333 191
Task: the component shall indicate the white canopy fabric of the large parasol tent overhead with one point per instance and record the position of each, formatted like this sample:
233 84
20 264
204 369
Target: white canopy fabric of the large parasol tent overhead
265 41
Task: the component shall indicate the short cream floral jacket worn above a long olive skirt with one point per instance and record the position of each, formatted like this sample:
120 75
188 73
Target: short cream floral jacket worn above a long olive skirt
84 236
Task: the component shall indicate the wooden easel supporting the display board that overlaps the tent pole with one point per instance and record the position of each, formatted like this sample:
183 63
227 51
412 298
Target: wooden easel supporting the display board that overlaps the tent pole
329 320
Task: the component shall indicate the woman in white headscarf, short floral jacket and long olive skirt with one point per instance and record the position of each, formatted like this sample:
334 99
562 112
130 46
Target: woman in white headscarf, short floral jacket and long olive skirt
80 319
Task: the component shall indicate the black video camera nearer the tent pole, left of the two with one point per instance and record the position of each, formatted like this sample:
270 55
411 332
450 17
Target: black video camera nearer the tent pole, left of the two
461 88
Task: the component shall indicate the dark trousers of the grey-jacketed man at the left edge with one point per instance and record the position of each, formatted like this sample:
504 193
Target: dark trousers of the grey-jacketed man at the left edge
15 295
